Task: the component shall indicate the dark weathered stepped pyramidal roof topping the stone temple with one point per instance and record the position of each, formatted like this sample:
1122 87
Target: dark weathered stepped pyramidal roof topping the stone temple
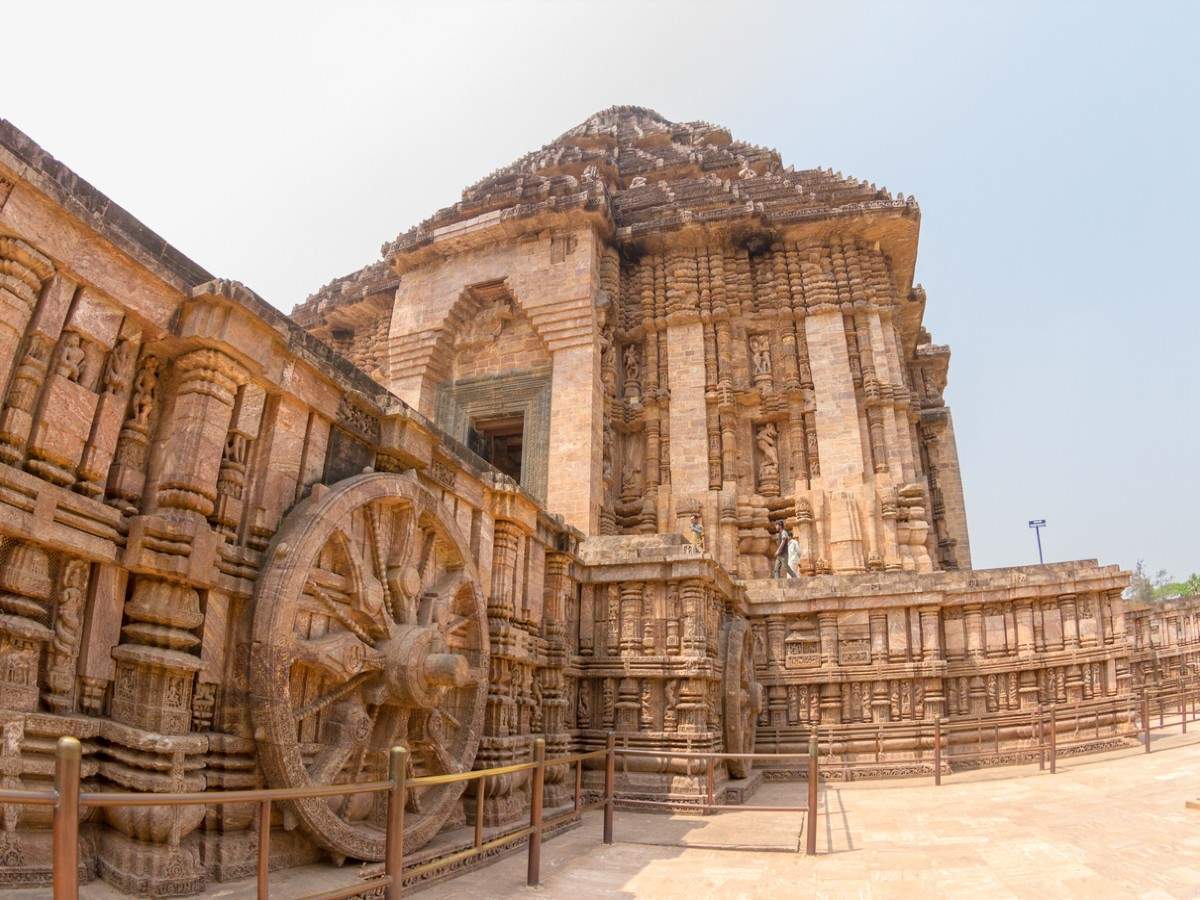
638 173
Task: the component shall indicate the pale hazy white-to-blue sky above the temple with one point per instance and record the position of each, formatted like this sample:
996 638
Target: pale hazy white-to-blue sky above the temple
1053 148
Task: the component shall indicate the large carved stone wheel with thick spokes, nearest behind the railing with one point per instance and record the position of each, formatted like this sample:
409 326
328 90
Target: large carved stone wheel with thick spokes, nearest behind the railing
370 631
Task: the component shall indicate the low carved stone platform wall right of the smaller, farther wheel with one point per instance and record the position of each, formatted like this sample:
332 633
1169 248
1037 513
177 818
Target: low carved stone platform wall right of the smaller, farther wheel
872 662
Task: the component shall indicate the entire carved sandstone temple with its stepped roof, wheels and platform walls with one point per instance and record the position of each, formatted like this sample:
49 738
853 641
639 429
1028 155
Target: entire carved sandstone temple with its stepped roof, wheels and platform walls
518 478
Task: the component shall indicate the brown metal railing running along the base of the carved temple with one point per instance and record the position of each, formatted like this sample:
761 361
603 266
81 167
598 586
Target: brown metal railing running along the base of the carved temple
68 800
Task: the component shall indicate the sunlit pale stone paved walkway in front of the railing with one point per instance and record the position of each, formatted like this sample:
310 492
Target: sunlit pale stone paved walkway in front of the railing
1111 826
